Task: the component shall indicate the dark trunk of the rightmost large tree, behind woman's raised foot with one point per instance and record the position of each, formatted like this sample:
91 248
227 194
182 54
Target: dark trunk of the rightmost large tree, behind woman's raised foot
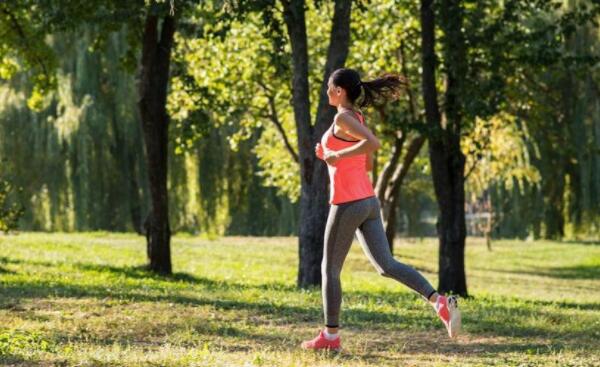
447 160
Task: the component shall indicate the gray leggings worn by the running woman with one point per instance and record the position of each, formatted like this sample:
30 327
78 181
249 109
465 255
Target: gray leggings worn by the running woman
363 217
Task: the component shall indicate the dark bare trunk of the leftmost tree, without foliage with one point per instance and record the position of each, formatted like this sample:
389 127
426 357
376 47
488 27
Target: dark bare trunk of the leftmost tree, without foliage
154 78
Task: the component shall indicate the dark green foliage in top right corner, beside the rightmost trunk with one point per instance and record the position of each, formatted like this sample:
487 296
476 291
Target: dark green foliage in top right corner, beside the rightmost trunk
507 41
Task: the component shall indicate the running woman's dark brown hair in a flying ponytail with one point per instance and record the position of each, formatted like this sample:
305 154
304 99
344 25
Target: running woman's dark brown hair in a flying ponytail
376 91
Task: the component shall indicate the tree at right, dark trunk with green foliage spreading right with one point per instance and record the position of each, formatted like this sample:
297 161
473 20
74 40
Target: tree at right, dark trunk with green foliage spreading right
472 37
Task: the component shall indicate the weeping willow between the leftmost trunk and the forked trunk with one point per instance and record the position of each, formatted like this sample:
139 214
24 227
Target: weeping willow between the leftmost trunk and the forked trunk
217 190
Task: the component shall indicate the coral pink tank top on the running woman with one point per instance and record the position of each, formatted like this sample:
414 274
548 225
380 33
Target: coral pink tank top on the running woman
348 178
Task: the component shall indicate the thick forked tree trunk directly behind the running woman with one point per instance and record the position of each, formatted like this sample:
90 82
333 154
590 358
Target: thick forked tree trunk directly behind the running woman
313 194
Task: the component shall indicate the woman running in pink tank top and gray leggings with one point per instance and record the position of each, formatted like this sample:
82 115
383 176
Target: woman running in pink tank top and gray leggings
347 148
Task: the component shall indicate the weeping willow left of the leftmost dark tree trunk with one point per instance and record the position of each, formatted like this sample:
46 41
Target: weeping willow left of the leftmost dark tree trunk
77 159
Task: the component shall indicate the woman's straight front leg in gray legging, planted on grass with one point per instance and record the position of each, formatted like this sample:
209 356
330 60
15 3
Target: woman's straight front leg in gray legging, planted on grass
342 222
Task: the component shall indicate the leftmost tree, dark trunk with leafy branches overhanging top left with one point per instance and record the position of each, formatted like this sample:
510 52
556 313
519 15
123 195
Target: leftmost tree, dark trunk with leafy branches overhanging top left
154 78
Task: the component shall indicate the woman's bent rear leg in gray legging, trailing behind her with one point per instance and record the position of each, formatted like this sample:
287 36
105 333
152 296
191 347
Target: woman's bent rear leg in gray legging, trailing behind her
371 235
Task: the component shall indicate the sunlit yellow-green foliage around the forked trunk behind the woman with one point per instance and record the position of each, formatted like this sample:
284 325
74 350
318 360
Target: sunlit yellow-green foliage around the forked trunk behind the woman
224 91
